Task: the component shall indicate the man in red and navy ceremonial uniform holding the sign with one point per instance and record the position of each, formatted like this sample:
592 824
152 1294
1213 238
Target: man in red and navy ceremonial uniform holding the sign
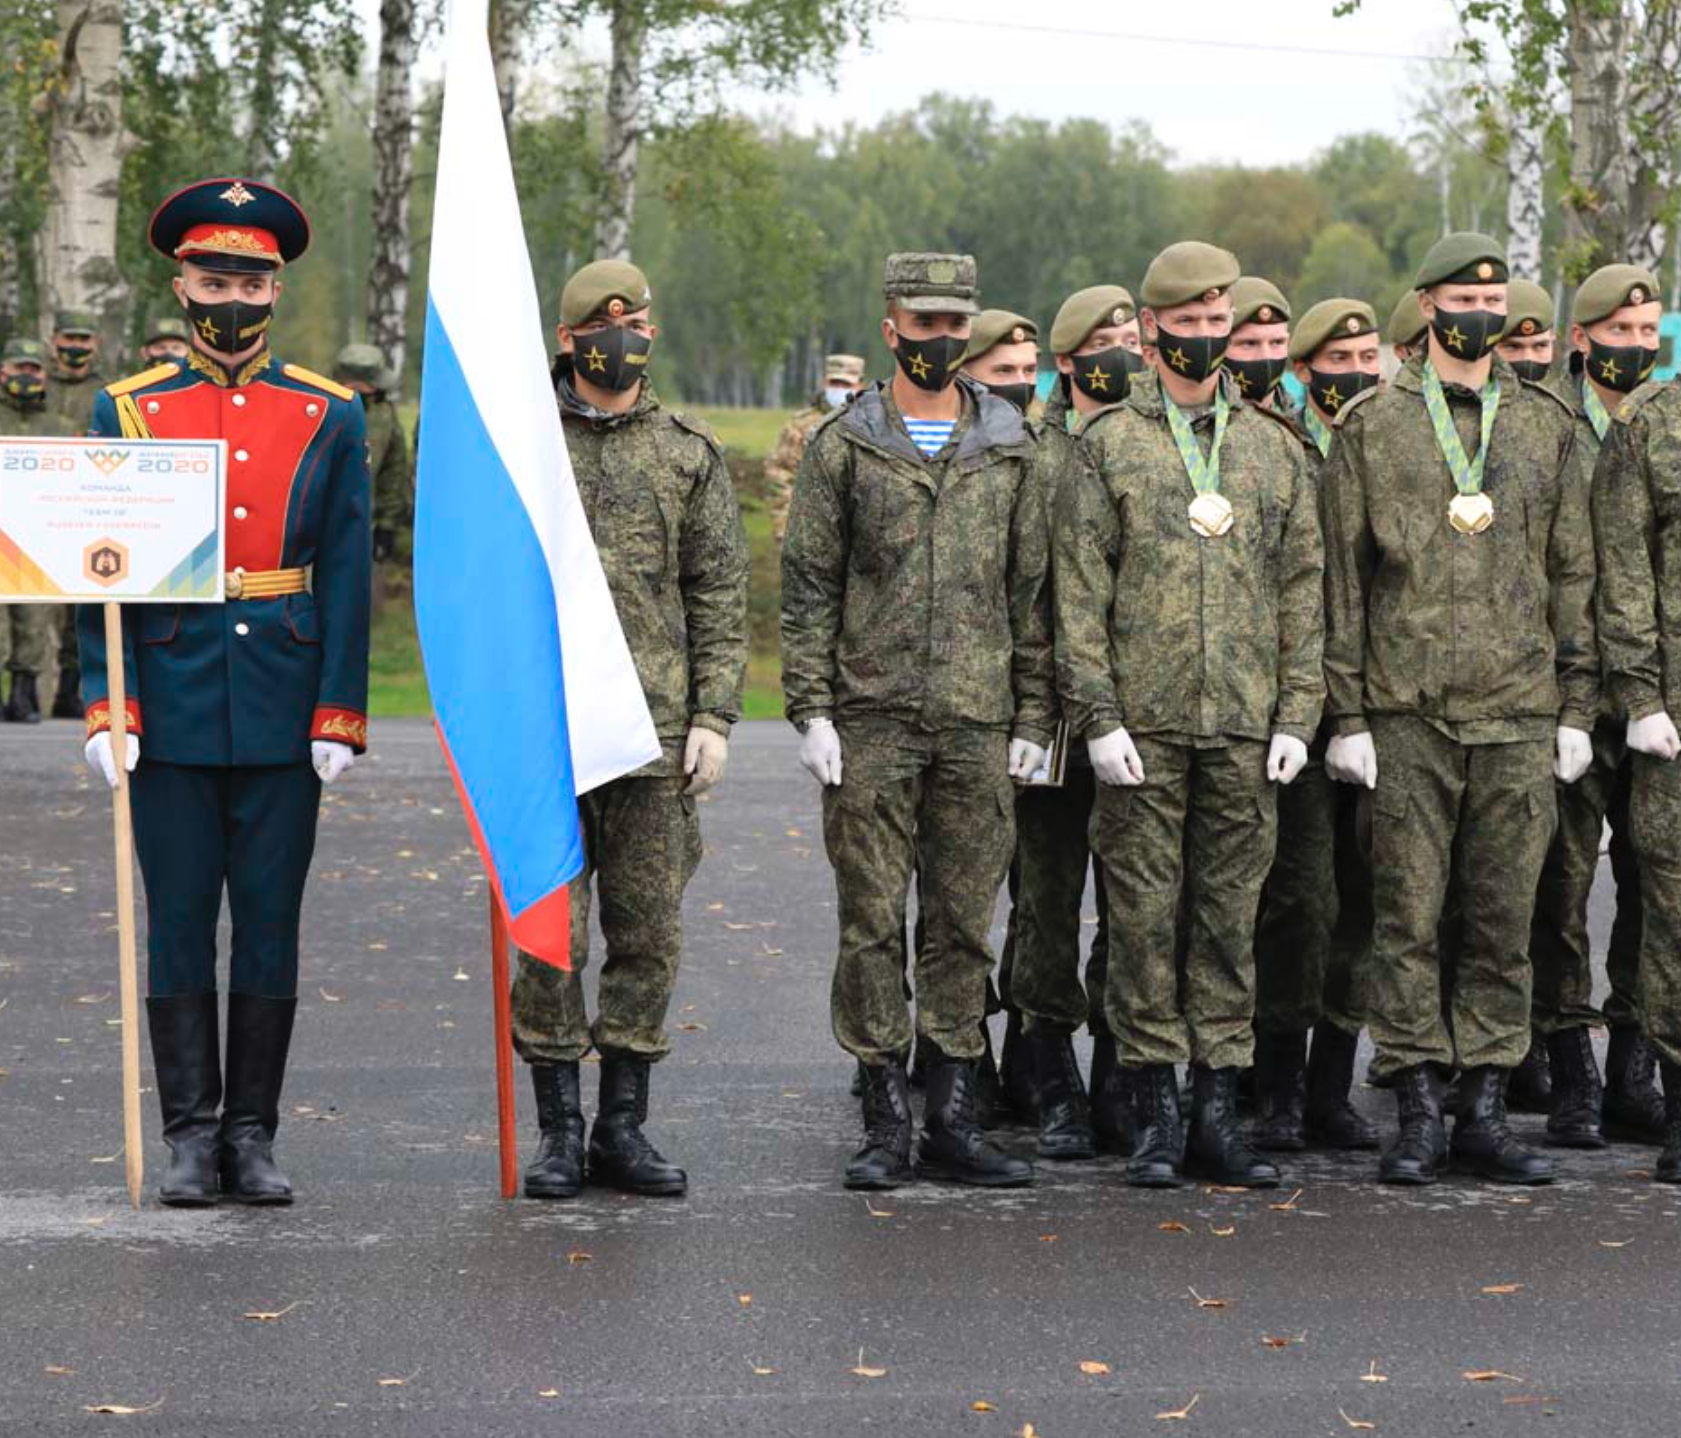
238 714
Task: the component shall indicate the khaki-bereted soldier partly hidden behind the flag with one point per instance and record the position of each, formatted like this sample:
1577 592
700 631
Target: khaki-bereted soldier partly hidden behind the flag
665 517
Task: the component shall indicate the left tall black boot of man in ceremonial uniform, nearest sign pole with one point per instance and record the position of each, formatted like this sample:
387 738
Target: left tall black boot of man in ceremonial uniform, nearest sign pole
189 1064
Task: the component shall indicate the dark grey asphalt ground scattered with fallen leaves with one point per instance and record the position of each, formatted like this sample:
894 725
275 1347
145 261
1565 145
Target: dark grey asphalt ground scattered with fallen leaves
403 1296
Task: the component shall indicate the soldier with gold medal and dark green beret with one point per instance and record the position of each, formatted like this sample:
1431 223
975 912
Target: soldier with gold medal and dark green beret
1438 517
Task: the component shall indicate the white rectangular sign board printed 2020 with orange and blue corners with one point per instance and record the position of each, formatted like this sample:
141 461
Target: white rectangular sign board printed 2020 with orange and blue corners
95 521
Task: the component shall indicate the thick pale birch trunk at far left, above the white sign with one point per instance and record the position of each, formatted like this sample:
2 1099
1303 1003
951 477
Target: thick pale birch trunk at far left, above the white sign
87 144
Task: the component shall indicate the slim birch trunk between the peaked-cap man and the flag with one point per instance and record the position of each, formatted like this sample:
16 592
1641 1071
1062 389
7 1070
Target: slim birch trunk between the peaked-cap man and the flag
393 174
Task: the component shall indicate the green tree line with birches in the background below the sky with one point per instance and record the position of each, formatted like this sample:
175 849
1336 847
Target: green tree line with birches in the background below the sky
1557 125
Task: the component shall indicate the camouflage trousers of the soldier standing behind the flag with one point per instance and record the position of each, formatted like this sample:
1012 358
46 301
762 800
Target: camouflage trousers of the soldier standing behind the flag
641 845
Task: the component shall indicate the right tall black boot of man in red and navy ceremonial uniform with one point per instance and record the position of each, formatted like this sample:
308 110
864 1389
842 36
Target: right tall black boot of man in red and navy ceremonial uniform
260 1034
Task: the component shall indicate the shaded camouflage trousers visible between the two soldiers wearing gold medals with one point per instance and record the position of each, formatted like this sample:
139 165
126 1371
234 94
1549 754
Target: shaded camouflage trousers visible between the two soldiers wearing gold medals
1305 946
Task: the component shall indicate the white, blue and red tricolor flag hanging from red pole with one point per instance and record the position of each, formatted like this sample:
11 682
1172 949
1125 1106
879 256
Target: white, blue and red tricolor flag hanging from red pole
534 687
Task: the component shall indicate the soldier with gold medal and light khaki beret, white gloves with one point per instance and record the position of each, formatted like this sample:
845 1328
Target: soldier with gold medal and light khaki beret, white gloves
1188 569
